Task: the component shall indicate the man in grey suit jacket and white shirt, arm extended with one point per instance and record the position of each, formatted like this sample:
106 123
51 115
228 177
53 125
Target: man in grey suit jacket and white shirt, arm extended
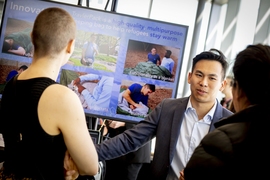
177 124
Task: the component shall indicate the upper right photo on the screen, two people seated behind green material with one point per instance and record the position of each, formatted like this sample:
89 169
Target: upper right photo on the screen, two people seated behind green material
137 64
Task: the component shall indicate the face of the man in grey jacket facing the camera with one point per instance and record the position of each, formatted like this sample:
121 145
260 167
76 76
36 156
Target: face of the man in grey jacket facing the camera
205 81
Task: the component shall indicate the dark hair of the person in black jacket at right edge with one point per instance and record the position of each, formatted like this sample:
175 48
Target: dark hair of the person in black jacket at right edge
252 73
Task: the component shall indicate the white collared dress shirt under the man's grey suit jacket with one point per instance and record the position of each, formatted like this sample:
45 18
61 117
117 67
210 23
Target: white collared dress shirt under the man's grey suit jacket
191 133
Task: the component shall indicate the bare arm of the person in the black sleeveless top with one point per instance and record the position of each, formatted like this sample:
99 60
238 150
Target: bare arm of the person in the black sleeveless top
69 118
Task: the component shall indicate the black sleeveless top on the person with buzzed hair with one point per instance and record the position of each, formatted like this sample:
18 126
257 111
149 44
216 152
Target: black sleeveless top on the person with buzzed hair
29 150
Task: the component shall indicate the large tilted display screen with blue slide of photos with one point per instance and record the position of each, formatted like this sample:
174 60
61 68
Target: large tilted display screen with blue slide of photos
111 50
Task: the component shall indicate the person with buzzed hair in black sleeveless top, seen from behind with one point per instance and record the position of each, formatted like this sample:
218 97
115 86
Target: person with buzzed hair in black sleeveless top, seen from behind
38 143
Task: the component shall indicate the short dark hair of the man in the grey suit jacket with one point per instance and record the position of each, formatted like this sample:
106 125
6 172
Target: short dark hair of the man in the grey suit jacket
212 55
